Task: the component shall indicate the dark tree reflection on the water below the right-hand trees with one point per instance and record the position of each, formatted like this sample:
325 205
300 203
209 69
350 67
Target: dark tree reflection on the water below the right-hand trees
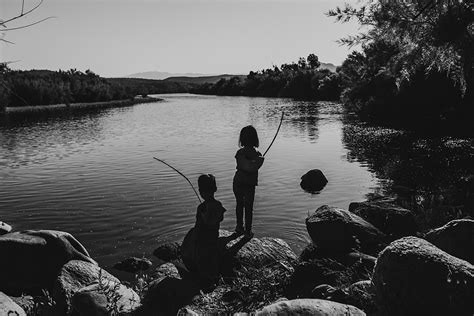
429 175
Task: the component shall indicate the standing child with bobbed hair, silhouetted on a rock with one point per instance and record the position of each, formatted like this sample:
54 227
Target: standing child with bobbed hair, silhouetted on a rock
249 160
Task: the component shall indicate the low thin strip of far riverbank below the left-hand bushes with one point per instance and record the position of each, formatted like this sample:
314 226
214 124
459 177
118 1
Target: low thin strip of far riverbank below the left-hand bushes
91 105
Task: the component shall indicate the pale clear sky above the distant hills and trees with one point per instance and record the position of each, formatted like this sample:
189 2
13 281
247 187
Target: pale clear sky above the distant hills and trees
119 37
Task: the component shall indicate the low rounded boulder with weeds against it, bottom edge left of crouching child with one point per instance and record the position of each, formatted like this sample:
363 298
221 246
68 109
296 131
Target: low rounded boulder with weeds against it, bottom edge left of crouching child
102 299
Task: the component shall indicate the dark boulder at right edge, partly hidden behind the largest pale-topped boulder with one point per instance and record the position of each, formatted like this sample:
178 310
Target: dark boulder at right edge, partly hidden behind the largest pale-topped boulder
456 238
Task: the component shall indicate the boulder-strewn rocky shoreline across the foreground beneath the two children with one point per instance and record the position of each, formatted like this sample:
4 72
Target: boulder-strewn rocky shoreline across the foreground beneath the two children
368 260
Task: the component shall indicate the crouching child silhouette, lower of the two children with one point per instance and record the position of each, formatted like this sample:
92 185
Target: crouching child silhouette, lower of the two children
200 249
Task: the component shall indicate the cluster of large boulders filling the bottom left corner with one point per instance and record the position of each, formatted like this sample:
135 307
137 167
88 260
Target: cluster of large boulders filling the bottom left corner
46 272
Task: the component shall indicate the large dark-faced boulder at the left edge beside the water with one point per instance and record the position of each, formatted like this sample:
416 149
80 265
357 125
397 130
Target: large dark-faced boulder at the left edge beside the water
32 259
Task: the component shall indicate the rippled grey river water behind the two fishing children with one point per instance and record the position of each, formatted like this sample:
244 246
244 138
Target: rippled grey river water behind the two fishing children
92 173
